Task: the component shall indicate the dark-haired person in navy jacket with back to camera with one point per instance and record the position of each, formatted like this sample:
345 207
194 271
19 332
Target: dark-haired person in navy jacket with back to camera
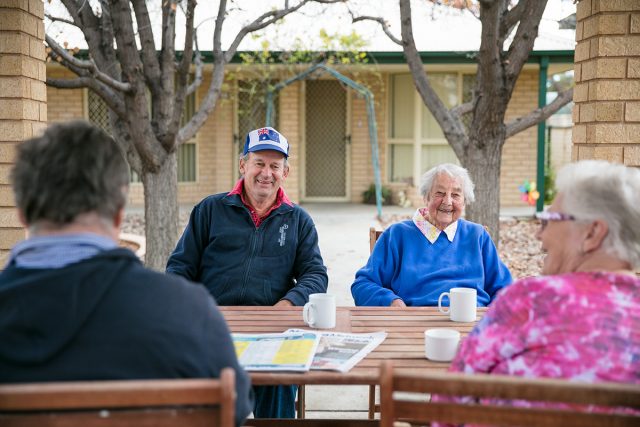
73 305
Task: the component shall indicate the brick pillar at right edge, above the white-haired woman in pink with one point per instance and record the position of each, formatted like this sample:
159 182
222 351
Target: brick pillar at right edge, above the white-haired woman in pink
606 115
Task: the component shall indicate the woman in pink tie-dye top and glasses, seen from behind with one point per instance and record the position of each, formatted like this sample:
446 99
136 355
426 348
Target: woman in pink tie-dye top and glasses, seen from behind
580 319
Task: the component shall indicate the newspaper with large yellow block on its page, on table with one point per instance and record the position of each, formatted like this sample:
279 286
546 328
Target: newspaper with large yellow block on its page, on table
289 351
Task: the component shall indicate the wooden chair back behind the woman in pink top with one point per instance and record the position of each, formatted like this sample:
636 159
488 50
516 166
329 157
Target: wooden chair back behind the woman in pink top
405 407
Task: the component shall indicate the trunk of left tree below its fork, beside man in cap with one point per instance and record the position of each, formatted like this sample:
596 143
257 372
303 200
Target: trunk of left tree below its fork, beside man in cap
161 212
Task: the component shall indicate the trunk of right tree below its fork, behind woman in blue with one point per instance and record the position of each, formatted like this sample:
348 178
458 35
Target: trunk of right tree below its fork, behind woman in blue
483 164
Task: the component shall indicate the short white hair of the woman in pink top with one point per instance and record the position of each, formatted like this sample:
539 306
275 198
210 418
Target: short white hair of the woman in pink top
596 189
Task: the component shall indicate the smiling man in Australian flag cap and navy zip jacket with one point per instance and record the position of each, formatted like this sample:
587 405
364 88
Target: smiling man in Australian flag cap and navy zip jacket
253 246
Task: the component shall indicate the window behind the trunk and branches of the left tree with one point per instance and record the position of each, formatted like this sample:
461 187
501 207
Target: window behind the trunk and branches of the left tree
98 113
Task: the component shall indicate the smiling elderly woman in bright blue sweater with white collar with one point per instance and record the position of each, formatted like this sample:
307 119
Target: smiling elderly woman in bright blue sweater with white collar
414 261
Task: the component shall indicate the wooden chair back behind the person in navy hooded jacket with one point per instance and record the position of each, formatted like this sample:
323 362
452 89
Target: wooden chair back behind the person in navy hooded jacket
139 403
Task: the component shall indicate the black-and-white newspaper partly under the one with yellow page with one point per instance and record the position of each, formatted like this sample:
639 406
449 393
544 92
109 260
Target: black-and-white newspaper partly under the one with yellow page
339 351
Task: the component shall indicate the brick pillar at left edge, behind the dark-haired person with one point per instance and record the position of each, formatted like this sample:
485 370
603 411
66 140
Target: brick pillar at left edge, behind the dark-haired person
23 96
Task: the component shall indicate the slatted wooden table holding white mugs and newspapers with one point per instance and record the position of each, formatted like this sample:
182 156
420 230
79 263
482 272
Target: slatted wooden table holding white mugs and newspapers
404 344
